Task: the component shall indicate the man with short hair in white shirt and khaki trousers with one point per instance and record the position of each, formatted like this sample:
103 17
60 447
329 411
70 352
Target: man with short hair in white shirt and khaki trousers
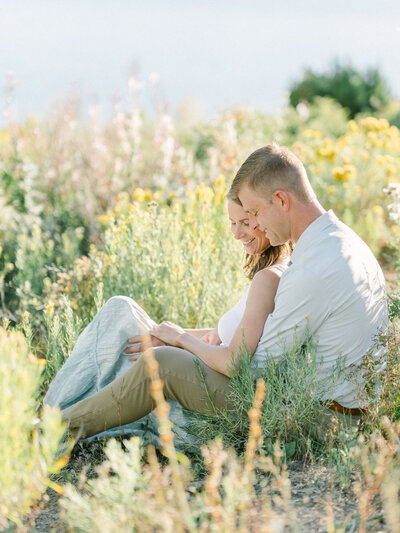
333 291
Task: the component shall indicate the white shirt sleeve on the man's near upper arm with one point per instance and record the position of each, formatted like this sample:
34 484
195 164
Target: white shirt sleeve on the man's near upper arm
301 306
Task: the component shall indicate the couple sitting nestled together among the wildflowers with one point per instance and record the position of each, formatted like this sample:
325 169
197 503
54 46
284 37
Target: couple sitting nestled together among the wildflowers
332 290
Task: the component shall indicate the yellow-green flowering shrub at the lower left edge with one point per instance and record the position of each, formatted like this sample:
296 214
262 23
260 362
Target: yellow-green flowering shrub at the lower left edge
27 443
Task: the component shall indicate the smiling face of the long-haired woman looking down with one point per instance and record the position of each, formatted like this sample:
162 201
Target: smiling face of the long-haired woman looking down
254 241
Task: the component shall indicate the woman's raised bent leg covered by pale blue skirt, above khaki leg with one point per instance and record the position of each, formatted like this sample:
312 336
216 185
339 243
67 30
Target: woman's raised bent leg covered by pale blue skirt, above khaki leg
98 356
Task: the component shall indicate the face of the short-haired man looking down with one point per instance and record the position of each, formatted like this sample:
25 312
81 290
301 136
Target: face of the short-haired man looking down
268 216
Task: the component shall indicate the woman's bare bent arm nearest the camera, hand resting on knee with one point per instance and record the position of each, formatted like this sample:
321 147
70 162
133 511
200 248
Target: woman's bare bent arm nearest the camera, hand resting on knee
260 303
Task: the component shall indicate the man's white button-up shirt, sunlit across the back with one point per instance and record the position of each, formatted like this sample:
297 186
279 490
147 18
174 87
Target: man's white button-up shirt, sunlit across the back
334 292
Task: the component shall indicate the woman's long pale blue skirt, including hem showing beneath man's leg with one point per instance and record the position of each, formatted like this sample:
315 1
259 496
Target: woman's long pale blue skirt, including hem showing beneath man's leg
99 358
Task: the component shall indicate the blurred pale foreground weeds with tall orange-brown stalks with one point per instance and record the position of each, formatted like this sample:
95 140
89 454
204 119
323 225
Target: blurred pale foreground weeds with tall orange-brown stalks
134 494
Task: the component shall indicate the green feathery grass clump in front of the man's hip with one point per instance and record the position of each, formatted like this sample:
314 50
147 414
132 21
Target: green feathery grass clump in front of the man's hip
291 412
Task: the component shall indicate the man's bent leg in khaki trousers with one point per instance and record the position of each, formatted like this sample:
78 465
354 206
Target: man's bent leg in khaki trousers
128 397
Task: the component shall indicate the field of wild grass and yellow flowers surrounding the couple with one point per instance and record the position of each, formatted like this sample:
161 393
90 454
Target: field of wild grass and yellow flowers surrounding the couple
90 210
